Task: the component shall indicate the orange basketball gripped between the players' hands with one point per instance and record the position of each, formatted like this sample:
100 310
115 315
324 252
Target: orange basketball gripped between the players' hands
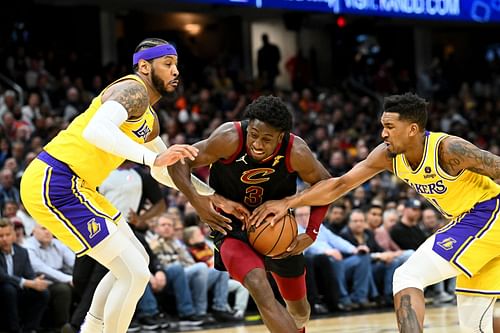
273 241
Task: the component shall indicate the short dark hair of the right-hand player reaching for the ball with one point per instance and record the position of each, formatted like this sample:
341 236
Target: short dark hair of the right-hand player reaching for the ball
410 107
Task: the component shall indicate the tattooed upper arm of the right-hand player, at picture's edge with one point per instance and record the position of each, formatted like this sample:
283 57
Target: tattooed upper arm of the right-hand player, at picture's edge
456 154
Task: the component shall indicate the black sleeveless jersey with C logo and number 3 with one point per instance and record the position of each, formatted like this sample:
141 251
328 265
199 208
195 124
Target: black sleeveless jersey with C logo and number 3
242 179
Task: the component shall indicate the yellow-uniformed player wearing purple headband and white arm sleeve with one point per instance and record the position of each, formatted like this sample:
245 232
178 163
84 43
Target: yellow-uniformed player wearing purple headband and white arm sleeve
59 187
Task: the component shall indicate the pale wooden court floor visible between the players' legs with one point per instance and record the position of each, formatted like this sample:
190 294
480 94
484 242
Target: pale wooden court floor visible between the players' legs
438 319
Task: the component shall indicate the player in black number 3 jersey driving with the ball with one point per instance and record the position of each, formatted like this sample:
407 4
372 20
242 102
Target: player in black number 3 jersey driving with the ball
252 161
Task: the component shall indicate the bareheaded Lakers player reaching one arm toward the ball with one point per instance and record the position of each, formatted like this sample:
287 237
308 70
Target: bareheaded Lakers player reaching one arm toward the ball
455 177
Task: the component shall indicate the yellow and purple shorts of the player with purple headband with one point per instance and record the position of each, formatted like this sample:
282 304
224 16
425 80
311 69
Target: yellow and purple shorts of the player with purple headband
59 200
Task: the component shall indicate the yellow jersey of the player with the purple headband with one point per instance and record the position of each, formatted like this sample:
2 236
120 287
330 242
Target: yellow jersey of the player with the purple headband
86 160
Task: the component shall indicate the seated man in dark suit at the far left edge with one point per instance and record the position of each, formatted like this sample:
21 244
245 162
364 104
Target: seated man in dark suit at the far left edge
24 295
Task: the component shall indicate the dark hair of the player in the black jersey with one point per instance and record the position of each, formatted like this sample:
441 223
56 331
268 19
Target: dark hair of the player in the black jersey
271 110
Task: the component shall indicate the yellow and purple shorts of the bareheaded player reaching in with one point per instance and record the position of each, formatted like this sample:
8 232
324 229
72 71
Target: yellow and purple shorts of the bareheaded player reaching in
470 244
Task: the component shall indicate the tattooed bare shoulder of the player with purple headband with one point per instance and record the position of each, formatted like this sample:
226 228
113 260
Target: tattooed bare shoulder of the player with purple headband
133 97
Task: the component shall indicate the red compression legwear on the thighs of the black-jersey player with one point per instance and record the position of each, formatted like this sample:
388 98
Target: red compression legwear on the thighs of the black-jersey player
239 259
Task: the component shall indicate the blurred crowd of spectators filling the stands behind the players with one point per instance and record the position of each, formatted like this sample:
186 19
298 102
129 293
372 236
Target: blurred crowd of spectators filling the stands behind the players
365 235
